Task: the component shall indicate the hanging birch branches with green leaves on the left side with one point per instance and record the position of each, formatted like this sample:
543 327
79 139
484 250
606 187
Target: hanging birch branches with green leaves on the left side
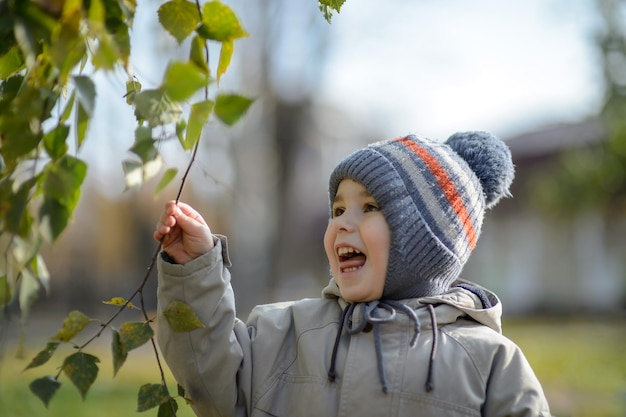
62 175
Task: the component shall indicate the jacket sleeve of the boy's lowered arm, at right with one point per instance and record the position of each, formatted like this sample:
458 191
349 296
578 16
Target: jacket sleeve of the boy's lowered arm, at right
513 390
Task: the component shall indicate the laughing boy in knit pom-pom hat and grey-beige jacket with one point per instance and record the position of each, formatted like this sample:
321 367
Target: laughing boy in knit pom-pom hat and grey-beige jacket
396 333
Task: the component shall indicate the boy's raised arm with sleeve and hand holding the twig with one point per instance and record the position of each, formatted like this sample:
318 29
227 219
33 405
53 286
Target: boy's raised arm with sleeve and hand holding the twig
207 361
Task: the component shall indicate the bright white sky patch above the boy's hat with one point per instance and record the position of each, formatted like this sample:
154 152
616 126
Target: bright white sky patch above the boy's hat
435 67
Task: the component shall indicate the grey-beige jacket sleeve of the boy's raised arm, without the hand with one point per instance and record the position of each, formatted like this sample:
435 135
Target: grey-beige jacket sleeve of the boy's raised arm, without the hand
210 363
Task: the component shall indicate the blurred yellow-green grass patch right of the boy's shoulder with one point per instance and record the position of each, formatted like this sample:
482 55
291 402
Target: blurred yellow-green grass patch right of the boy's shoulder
580 363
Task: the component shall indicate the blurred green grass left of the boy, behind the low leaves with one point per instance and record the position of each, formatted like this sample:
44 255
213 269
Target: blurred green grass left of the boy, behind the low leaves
108 396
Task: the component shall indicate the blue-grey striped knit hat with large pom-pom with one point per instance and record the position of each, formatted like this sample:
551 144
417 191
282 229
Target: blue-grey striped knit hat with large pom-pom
433 196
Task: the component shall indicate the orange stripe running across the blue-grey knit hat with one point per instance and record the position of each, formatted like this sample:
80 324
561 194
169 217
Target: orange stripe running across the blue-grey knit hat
447 186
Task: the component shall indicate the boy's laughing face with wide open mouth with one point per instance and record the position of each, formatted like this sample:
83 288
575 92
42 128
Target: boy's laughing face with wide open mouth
357 243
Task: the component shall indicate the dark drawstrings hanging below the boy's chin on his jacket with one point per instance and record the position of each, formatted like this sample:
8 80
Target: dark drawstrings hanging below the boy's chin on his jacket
369 315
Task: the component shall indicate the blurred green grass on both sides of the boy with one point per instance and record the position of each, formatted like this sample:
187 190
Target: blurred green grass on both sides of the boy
581 365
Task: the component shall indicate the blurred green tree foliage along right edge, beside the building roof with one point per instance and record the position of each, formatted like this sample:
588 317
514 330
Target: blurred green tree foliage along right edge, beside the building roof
595 176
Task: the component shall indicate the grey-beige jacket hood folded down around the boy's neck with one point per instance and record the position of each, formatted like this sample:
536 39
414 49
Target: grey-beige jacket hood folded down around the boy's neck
451 305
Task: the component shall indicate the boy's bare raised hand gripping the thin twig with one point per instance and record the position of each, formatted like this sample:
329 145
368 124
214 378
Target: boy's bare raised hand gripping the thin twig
183 233
